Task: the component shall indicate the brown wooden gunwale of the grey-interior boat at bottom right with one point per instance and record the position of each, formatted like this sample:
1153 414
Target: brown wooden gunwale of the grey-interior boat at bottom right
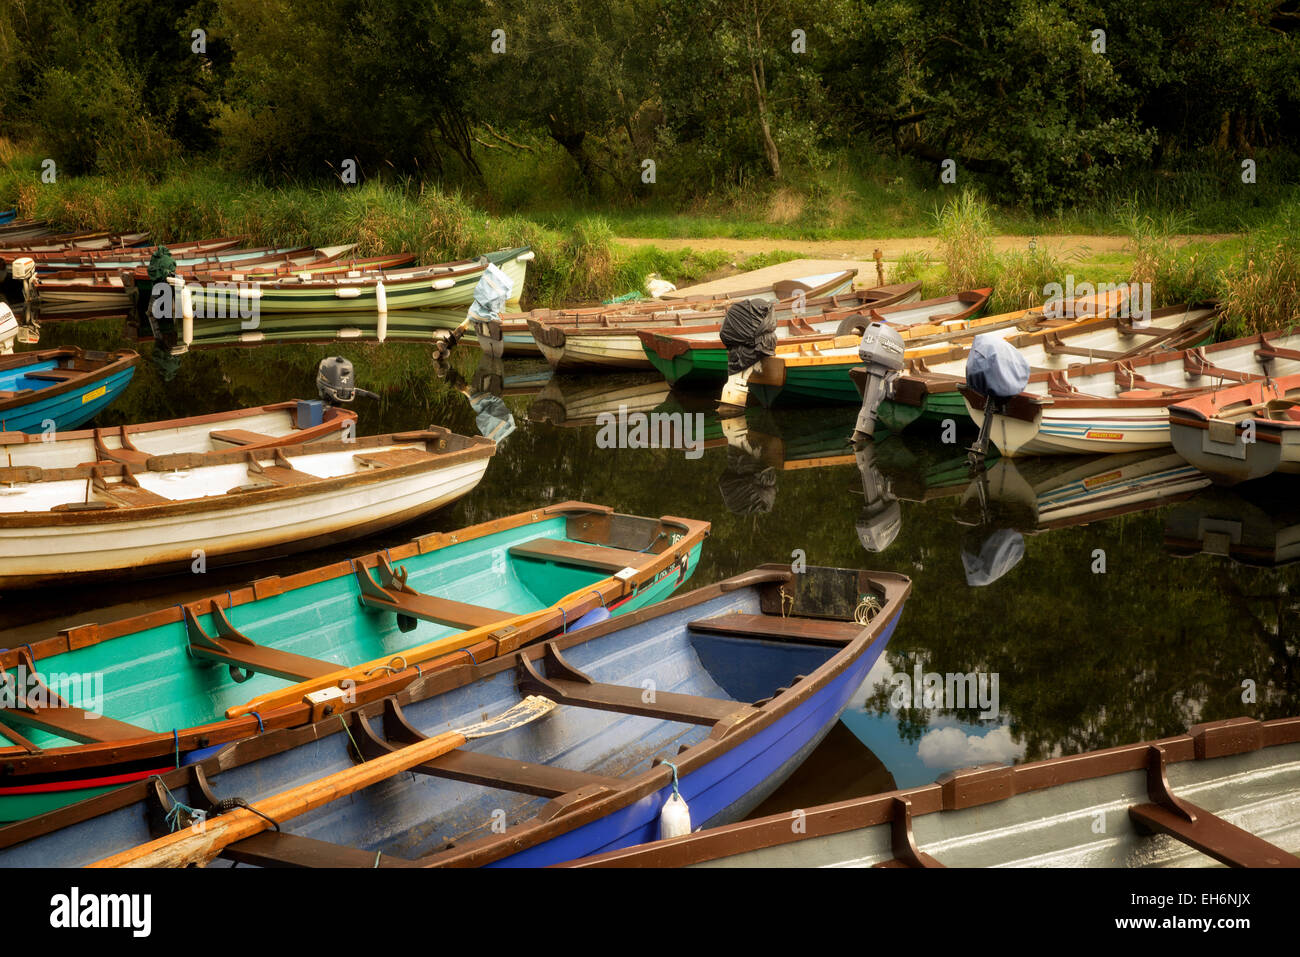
956 791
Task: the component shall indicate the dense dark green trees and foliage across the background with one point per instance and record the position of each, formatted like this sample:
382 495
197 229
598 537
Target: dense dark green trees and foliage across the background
1047 101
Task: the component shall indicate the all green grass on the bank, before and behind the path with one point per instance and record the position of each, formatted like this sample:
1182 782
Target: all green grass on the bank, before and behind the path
579 258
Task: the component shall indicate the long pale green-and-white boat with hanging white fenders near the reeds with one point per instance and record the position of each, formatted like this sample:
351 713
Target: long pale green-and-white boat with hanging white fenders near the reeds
431 287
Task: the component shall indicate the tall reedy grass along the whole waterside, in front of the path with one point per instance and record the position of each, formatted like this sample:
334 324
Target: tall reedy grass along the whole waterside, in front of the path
1256 275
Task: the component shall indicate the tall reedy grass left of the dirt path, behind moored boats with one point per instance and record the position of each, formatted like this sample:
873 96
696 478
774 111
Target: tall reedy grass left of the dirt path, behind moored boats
577 262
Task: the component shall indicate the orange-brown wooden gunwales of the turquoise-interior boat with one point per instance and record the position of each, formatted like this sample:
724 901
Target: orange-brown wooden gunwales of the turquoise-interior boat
18 760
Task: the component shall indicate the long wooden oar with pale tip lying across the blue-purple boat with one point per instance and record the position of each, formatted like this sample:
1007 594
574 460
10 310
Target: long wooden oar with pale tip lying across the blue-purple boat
194 846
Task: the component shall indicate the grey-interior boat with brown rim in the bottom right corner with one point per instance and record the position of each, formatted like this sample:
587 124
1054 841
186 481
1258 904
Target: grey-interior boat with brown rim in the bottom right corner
1242 774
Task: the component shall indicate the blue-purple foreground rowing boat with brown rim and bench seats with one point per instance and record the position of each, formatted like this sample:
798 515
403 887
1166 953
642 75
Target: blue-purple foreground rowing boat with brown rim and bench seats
716 695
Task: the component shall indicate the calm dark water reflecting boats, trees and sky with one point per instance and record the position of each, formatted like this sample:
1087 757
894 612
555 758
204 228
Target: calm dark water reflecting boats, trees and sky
1106 621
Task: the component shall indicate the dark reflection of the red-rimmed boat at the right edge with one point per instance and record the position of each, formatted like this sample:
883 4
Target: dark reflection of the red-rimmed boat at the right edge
1264 531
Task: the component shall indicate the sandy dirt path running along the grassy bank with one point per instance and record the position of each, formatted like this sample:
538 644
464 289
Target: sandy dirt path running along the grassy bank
894 248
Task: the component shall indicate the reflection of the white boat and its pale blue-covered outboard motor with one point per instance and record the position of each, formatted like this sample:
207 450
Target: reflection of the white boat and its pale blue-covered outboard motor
1033 496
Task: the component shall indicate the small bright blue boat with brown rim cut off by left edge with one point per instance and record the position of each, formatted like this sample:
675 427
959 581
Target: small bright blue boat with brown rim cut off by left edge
66 387
